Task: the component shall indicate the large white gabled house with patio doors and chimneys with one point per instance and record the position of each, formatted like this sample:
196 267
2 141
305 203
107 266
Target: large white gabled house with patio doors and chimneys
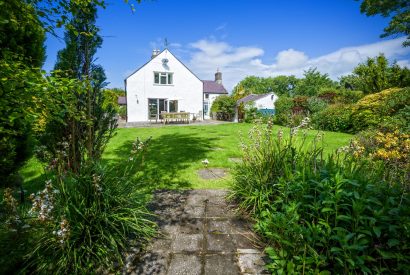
165 84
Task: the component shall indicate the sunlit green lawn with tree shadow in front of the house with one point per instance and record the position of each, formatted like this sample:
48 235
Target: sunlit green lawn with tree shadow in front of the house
176 153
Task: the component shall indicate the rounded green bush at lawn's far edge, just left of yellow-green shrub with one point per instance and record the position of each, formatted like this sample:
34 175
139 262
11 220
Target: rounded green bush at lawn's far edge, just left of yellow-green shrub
334 118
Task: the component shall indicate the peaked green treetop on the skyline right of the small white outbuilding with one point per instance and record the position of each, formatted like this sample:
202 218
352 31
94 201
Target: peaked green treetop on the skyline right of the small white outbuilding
312 82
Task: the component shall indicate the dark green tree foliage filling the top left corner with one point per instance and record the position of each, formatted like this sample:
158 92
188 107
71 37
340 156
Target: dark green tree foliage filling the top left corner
21 32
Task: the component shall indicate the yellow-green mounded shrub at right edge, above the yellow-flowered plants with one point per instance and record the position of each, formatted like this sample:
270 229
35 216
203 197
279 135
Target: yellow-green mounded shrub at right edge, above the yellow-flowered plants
373 109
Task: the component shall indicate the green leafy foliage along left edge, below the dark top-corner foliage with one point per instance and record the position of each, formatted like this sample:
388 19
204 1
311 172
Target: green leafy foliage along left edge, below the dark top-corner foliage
18 105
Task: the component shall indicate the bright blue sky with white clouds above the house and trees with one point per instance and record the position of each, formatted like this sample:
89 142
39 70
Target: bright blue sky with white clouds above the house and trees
241 37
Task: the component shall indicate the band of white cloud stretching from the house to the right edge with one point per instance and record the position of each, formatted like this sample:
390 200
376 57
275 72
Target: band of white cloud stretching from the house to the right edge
235 63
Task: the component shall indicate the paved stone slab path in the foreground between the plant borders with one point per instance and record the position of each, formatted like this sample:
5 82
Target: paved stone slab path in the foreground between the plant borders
200 234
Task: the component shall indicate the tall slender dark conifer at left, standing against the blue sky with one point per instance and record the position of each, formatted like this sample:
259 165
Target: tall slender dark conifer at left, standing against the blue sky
88 135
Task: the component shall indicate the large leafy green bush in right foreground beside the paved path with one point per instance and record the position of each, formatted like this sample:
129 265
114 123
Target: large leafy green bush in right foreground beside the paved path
322 215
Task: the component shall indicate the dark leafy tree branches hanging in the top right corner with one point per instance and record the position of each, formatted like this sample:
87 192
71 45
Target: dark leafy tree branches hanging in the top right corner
398 10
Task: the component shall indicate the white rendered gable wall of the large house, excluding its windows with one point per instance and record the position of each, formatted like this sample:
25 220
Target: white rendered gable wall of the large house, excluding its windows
186 88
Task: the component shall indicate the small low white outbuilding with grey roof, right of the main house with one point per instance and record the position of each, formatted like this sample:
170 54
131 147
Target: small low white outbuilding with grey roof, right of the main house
264 103
